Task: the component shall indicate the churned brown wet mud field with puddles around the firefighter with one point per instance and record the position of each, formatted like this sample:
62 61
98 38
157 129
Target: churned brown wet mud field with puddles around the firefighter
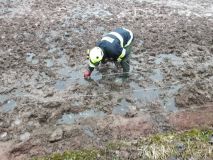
46 105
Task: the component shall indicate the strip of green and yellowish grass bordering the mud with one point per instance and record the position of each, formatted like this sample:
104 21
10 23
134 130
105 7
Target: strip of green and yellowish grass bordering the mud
188 144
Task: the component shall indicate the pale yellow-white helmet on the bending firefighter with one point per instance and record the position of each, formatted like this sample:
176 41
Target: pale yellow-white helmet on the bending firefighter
96 54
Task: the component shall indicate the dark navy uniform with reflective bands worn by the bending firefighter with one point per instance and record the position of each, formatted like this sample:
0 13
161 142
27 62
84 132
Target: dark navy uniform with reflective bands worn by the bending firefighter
116 47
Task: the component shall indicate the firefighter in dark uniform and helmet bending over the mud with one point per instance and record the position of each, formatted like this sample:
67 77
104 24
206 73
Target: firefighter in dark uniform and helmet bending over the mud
114 46
